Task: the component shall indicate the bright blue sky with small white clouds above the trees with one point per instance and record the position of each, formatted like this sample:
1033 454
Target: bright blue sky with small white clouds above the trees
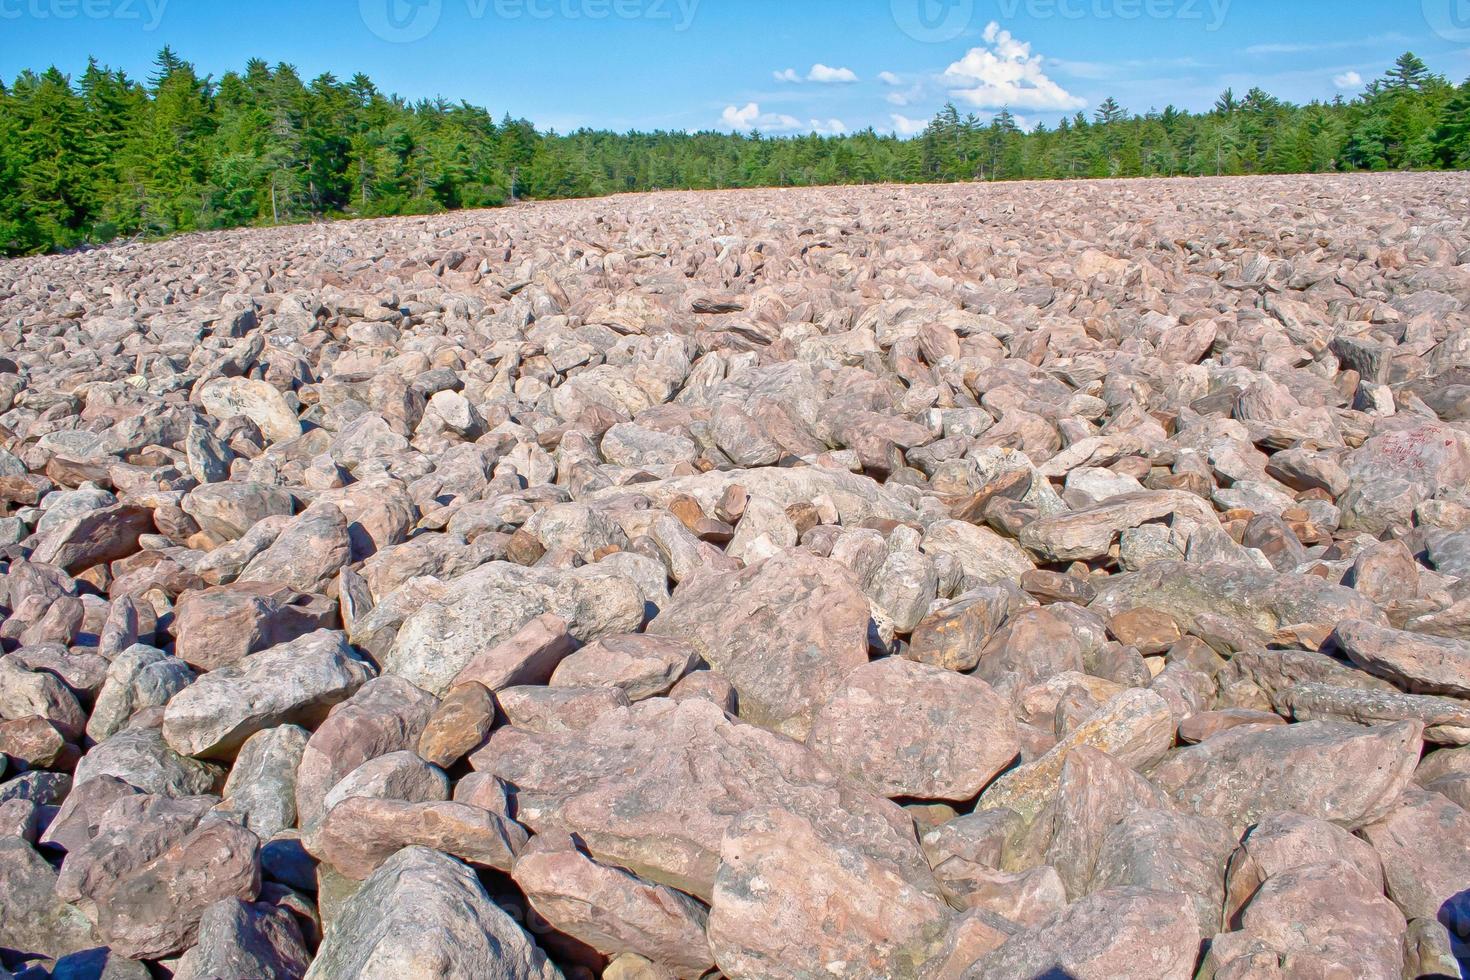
781 67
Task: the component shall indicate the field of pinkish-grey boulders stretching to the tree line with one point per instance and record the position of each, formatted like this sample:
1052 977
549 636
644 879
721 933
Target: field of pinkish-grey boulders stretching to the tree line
996 581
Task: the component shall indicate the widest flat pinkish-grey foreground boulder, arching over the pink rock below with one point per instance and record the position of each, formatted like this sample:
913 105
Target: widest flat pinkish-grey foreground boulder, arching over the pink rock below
655 788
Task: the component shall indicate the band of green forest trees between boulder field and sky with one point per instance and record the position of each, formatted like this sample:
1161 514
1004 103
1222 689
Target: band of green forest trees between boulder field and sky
107 156
